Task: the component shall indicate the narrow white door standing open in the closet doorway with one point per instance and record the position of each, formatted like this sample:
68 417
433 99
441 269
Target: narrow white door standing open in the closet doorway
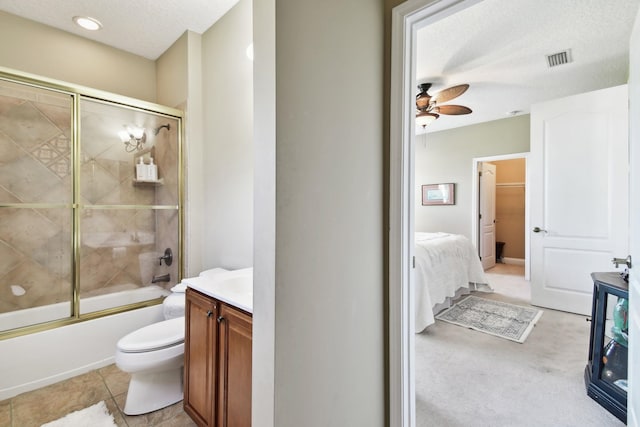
487 217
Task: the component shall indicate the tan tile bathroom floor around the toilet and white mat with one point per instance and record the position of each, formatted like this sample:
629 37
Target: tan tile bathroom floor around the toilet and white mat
32 409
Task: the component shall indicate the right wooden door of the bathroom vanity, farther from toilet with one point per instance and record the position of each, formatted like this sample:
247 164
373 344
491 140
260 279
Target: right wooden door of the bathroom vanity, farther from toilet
234 361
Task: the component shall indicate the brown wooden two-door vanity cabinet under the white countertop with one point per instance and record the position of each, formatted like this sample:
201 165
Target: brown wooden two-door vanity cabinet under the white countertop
217 365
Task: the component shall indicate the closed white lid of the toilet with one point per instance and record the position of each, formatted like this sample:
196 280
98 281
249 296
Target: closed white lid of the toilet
153 337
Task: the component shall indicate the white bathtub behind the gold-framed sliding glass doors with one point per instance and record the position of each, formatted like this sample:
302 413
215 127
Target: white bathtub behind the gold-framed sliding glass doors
40 359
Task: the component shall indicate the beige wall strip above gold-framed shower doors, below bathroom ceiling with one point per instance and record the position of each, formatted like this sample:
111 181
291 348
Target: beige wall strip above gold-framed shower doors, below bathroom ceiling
38 49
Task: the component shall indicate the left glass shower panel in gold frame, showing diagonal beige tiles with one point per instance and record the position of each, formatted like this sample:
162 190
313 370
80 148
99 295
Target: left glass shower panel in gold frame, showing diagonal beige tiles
35 205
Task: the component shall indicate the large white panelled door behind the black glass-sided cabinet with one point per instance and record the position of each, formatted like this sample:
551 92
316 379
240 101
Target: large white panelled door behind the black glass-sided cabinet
579 195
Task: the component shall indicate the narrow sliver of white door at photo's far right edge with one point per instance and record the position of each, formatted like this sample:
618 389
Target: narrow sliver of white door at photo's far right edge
633 398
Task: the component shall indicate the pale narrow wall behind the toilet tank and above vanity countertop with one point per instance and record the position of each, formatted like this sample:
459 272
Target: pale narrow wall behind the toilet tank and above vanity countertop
228 145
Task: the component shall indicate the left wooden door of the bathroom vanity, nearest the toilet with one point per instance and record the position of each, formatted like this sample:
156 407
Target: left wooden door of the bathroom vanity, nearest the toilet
200 357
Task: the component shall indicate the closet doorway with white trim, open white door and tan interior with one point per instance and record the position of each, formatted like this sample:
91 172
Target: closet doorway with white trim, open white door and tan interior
506 203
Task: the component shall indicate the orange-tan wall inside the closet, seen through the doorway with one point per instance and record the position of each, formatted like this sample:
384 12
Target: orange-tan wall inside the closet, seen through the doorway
510 206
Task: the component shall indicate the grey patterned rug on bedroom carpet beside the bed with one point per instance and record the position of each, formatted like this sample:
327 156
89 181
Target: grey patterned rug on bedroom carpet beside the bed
504 320
